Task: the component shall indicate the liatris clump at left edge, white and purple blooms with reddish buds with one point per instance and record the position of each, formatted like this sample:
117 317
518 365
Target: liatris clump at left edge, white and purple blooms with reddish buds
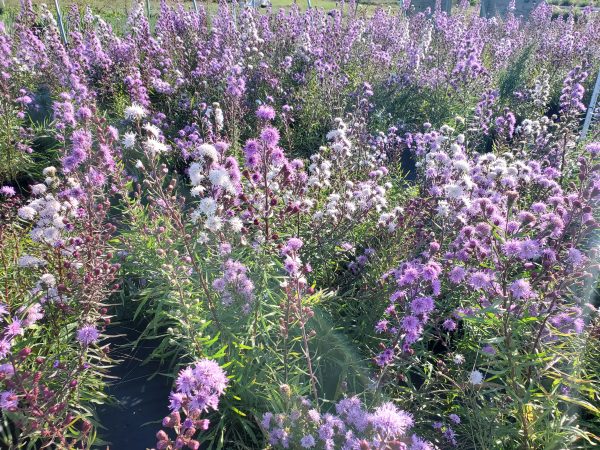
55 284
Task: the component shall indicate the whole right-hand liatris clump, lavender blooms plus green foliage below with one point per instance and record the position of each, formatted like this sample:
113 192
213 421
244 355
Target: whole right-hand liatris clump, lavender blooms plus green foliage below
503 255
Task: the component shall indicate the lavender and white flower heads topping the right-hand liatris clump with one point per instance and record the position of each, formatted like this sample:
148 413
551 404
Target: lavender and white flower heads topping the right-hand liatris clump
498 239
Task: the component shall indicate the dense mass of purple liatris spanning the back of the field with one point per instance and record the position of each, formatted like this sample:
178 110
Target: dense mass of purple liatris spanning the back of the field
312 69
